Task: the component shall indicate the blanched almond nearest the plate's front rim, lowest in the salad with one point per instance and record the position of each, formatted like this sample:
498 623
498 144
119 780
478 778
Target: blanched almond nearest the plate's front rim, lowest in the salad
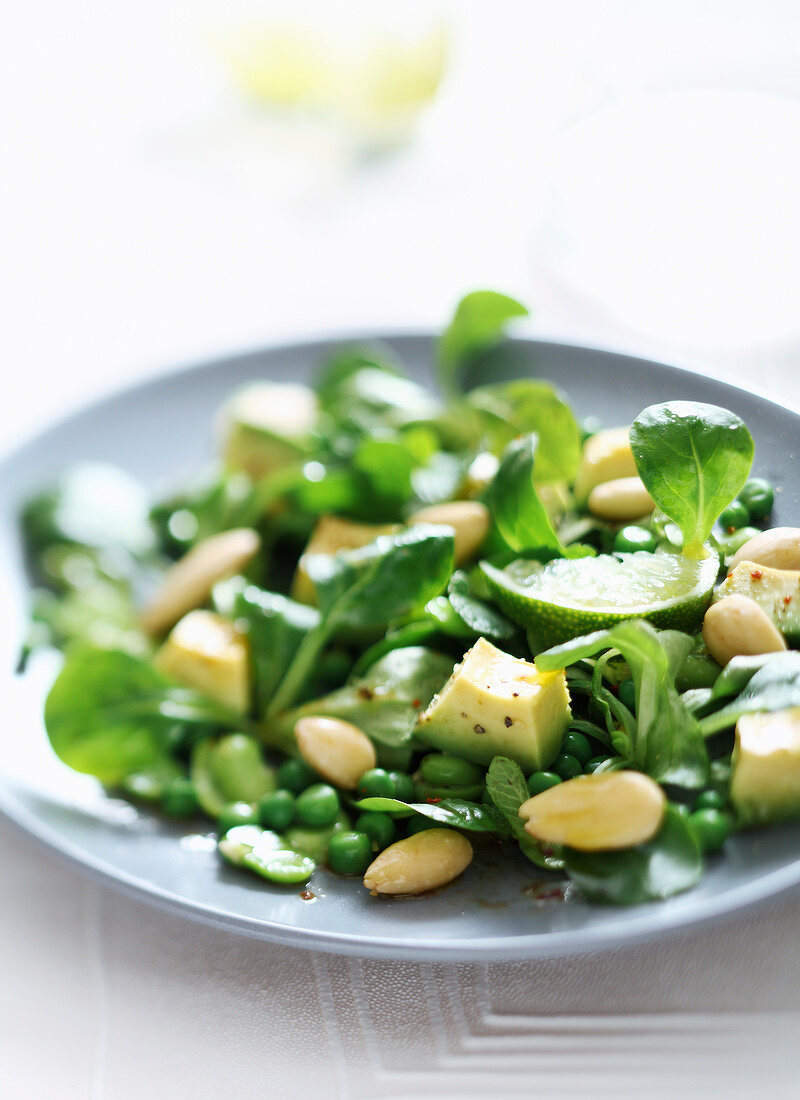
420 863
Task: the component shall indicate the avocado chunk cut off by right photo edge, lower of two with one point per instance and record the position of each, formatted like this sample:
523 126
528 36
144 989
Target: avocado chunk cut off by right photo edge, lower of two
765 782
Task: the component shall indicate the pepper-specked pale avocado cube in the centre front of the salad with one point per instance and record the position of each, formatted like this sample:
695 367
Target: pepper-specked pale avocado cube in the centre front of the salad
496 705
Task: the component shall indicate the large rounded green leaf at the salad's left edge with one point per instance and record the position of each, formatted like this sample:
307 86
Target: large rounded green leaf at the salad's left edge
111 714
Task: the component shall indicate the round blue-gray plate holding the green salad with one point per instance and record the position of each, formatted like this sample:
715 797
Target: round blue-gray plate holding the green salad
161 431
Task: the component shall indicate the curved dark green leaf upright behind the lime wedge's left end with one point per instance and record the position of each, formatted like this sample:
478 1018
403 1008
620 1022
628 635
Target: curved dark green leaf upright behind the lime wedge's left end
520 515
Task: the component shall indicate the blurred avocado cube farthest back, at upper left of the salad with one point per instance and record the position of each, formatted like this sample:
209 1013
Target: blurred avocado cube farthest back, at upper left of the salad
266 427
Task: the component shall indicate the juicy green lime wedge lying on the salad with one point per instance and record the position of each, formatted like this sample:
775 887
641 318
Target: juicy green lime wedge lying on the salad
569 598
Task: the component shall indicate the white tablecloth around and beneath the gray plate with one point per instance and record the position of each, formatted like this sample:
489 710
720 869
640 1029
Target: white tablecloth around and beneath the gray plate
150 218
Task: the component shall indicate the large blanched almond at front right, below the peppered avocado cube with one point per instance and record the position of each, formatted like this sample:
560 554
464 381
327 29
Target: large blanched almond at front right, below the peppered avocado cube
597 813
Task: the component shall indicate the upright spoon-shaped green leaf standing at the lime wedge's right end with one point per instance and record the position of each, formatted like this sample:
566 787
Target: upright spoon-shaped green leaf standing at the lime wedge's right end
694 460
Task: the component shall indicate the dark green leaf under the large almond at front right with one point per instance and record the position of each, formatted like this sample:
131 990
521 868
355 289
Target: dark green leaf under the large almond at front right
667 865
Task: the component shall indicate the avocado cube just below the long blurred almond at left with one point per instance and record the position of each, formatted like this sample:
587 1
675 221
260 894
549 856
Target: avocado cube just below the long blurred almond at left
207 653
